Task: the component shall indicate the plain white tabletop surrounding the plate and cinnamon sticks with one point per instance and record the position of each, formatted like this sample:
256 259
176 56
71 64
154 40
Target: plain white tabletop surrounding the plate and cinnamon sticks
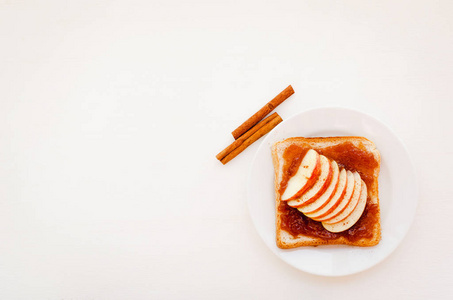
112 112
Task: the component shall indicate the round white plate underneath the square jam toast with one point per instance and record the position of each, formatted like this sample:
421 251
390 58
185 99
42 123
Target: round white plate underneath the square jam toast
397 191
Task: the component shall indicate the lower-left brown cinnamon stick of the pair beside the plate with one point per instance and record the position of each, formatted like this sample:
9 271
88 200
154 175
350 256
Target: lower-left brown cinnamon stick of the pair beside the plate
251 136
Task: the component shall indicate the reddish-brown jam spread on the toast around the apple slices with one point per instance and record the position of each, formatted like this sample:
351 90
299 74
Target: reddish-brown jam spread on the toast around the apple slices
348 156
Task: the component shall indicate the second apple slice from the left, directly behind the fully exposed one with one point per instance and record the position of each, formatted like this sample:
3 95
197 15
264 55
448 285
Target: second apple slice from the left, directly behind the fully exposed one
318 188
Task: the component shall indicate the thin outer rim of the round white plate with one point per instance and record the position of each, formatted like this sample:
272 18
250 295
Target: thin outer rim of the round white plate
412 171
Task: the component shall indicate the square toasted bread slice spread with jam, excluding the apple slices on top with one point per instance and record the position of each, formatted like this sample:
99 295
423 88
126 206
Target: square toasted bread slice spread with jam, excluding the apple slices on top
352 153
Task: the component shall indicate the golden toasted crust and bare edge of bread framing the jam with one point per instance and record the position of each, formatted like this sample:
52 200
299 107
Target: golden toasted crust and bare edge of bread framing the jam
284 239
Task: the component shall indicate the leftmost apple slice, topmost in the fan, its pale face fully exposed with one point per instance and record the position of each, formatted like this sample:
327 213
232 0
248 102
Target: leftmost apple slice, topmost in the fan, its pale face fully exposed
297 184
